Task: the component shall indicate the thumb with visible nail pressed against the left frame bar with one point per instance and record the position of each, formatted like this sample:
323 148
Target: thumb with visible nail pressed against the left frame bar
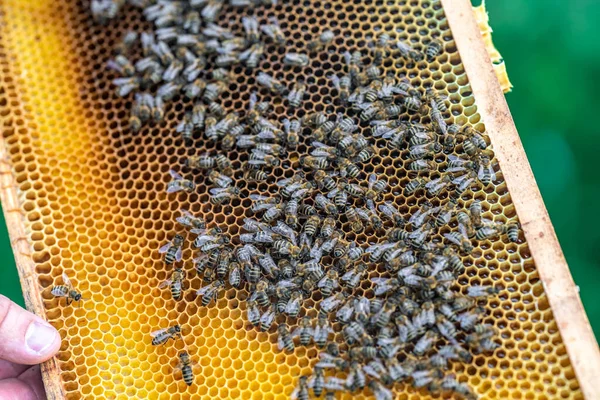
24 337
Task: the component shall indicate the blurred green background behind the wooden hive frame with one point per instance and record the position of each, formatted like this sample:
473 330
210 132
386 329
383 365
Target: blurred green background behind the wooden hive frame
552 51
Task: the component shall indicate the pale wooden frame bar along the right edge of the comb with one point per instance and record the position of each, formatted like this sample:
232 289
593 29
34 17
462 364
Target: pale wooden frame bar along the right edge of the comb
550 262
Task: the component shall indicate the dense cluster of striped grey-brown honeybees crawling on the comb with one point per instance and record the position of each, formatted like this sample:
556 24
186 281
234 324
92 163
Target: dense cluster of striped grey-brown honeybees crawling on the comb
381 310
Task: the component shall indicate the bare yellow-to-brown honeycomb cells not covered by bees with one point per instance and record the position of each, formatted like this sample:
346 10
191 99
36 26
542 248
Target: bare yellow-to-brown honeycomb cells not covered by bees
94 206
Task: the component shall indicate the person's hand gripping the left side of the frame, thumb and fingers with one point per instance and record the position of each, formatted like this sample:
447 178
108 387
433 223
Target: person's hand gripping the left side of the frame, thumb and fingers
25 340
